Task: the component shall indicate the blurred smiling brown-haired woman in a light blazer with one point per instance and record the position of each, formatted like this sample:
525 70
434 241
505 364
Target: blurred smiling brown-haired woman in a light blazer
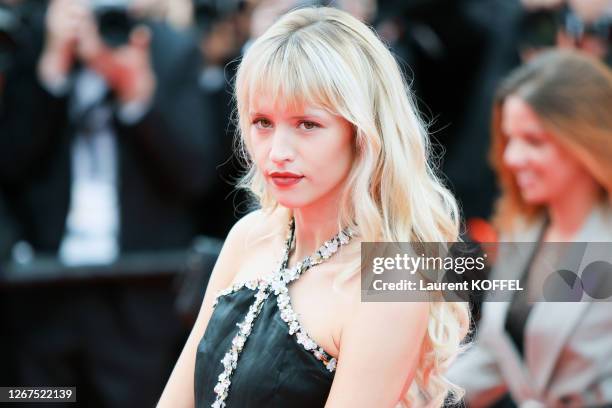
552 150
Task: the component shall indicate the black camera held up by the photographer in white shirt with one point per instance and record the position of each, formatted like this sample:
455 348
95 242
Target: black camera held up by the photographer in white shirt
114 21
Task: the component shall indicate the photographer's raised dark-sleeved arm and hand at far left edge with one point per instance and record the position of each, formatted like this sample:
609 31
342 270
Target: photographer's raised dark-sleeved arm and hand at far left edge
33 115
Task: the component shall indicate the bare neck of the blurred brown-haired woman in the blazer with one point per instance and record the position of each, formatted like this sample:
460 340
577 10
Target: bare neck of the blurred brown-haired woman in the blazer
569 212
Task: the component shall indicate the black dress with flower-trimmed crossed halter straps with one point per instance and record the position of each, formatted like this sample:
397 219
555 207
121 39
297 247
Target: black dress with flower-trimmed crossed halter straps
255 353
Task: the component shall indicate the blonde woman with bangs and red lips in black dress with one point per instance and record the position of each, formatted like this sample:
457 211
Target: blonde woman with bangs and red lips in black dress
338 156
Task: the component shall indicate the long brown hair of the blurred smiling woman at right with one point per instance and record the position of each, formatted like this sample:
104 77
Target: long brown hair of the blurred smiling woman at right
571 93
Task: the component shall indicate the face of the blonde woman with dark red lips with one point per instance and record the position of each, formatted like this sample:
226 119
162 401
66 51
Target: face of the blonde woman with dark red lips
304 153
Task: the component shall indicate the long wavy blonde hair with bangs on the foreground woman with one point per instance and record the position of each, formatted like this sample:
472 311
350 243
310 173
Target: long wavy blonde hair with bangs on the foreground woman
327 58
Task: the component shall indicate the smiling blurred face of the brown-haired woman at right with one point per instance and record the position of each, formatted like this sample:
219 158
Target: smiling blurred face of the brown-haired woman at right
543 169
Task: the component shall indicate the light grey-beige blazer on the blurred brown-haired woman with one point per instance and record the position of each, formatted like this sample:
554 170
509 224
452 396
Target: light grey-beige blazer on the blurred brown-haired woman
567 349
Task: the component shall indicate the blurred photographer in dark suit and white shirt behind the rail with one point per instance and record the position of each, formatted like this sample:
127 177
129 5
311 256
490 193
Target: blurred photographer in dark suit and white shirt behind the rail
104 150
